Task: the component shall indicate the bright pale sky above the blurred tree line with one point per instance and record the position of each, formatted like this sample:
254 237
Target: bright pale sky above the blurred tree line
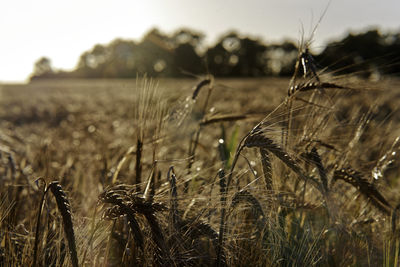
63 30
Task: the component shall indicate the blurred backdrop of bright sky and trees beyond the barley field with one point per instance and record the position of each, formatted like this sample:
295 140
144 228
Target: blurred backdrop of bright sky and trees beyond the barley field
121 39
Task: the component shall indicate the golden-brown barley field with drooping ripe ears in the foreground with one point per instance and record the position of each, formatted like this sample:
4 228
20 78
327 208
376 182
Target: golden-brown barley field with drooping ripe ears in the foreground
200 172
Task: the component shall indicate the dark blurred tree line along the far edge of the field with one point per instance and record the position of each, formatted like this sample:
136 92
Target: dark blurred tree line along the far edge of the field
184 52
